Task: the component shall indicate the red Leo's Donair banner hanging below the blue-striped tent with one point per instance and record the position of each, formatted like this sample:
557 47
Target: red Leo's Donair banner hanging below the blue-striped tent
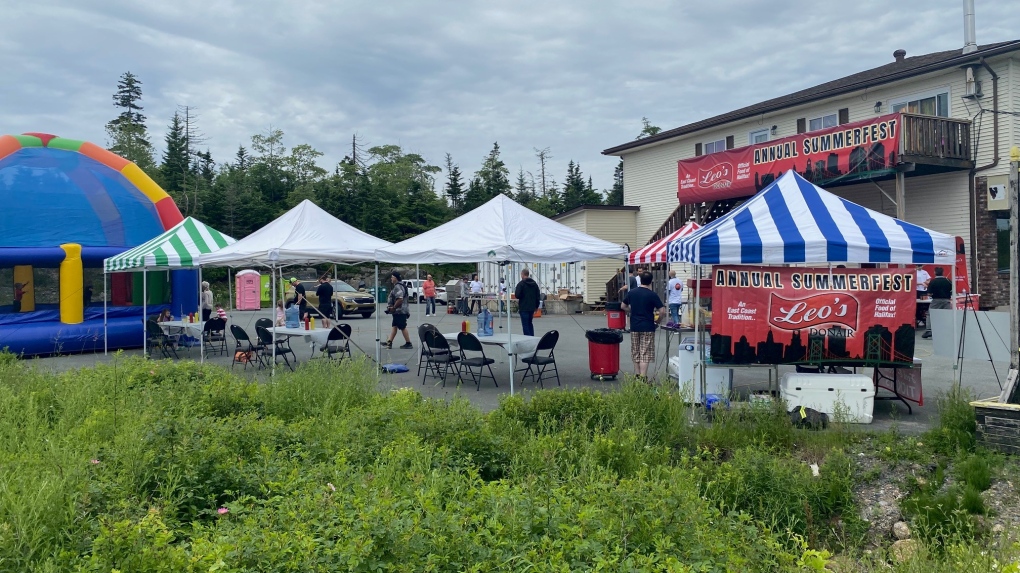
773 316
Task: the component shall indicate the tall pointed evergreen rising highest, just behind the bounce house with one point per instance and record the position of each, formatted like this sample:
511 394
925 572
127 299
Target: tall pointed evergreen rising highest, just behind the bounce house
128 135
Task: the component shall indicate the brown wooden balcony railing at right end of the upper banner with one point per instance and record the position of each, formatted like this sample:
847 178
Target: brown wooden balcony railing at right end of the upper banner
936 141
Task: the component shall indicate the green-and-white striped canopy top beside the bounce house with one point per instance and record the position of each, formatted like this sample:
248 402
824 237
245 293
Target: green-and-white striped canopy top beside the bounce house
179 248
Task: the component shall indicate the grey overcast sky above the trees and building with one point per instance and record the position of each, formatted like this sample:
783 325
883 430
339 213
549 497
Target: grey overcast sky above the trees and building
448 77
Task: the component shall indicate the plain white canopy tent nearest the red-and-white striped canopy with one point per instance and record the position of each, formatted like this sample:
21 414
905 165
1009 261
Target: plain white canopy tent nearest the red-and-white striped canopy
502 232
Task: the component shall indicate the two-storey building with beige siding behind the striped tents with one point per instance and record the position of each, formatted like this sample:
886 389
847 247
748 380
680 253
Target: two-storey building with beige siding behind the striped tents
959 119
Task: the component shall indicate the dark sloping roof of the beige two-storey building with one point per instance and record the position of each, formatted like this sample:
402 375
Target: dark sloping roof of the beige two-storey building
908 68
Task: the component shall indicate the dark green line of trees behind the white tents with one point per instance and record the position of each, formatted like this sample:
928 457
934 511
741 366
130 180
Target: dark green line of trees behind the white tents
382 190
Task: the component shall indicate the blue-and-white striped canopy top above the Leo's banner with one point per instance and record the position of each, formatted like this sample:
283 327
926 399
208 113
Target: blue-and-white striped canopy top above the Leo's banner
793 221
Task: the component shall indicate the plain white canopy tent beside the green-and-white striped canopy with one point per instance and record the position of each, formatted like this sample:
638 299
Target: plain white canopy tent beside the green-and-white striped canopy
304 236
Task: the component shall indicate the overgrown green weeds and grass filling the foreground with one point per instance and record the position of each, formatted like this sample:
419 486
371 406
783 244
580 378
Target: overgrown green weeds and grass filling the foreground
159 466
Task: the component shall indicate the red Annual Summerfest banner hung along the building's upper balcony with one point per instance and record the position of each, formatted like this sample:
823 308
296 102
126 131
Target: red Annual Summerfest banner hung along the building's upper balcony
854 151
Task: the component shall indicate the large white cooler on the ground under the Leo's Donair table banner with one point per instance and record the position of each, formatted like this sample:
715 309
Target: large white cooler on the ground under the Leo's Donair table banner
856 393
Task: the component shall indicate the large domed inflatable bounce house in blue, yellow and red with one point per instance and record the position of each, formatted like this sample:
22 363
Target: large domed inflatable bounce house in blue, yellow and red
68 205
